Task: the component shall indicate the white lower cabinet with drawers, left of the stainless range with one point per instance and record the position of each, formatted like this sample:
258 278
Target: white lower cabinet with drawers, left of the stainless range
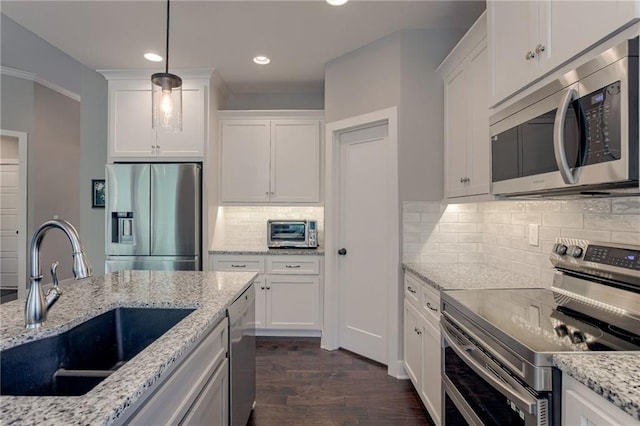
422 347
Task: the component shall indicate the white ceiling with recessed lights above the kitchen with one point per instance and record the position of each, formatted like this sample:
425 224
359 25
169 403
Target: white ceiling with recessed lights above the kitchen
300 37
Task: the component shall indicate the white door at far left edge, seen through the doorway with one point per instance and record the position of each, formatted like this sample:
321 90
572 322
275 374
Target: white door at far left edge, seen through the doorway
9 210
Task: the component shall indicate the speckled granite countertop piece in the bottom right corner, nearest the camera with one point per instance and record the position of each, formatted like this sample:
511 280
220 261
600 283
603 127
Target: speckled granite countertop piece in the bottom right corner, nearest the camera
614 376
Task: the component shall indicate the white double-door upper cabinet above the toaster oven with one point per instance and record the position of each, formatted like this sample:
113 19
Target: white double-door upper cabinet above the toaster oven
269 159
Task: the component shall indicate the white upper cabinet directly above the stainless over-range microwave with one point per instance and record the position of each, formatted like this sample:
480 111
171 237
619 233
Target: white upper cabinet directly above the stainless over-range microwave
529 39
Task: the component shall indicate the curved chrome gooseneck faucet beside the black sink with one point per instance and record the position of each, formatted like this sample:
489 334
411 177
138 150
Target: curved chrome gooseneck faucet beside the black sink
39 303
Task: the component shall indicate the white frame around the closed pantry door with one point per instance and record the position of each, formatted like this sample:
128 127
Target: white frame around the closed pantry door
331 320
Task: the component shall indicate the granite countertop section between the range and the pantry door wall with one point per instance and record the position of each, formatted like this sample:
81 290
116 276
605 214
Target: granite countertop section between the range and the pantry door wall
471 275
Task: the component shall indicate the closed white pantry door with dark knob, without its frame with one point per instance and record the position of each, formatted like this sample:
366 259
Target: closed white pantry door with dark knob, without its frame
363 231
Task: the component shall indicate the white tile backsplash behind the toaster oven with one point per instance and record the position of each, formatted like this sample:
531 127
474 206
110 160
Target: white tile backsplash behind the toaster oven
246 226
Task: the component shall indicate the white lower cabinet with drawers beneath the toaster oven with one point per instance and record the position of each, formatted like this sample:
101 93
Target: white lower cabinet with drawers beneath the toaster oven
288 291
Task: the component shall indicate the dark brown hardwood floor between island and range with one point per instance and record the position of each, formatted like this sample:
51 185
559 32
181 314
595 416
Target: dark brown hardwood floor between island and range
300 384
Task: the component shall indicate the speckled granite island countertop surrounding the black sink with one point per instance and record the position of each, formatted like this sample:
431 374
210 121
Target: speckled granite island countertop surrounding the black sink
210 292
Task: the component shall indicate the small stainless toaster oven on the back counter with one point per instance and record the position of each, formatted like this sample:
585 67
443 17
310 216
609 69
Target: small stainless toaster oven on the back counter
292 233
